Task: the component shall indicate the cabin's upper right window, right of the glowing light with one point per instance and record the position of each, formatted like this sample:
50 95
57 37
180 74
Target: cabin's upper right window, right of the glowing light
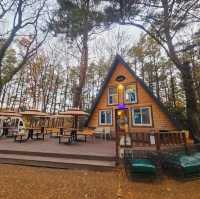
130 94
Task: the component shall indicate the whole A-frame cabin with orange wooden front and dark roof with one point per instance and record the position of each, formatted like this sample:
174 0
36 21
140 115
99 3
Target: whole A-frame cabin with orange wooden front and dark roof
126 103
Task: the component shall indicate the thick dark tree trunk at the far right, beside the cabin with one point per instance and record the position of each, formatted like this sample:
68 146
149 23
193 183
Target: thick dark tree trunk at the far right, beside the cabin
191 102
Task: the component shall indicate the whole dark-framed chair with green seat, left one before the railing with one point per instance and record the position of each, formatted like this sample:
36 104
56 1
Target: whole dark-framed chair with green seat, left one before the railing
141 165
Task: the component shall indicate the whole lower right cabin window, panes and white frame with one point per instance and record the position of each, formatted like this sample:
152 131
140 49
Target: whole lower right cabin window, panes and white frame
142 116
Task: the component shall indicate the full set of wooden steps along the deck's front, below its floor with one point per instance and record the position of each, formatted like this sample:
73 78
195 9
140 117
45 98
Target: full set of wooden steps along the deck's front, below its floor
54 160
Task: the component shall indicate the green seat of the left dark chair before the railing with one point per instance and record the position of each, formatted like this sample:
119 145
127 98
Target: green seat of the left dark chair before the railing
143 166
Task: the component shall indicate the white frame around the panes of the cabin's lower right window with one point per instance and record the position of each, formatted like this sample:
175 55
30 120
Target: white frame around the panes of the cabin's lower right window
142 124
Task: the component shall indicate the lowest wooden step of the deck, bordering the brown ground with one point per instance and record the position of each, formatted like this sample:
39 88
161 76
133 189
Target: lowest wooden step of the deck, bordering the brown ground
53 162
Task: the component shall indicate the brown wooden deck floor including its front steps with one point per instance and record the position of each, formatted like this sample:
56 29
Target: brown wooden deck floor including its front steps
99 154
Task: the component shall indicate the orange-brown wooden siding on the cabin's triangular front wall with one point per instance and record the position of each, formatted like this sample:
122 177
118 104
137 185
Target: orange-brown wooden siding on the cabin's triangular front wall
159 118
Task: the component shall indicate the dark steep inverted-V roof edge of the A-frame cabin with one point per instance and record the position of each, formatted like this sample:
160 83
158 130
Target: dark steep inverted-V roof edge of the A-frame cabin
119 60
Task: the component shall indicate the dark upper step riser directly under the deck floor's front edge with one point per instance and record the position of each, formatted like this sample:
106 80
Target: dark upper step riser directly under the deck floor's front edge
59 155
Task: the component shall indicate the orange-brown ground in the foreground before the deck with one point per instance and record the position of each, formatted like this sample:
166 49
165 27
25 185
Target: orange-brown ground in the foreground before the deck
18 182
